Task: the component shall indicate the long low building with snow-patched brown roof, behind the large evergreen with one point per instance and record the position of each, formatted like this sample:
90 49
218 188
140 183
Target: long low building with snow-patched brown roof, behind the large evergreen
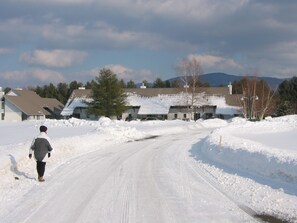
162 103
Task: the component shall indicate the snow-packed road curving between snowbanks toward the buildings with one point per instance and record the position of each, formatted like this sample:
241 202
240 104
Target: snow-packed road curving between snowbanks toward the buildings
153 180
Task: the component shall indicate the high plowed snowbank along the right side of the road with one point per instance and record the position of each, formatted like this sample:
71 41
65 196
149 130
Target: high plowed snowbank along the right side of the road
266 148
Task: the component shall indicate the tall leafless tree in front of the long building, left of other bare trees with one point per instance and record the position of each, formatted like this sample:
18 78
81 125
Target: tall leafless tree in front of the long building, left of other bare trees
188 70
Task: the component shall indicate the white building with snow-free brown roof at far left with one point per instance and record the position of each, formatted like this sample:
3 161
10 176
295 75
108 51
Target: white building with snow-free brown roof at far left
20 105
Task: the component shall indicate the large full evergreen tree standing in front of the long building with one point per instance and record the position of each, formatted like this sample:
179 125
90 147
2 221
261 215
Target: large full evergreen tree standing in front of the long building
109 98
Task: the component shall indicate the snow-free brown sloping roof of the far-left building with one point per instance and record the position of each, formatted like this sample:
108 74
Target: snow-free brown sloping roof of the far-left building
32 104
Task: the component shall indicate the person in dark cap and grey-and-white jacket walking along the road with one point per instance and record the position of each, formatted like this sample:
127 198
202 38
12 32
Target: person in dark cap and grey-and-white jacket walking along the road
41 148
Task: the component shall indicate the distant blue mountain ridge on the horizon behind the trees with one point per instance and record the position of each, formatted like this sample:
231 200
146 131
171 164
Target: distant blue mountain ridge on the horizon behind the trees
218 79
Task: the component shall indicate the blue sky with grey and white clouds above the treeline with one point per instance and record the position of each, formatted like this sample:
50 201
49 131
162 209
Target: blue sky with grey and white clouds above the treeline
55 41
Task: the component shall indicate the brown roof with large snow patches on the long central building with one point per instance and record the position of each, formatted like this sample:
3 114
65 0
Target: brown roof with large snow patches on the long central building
162 98
